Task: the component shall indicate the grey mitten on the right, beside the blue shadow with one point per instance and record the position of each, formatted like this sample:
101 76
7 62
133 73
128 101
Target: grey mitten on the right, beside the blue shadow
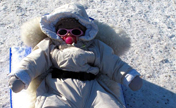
136 83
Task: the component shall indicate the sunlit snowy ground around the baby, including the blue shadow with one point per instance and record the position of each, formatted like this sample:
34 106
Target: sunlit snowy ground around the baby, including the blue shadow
151 25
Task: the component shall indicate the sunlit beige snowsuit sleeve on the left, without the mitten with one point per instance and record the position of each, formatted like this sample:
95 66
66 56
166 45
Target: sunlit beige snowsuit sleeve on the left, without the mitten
37 62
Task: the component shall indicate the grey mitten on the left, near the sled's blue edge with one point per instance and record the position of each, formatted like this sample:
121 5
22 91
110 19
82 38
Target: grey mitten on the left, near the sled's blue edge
16 84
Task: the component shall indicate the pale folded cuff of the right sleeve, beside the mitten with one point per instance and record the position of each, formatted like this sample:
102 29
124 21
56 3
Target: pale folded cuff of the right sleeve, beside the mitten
129 77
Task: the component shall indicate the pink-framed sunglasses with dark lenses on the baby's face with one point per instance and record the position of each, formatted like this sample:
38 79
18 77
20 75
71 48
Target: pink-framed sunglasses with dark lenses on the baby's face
75 32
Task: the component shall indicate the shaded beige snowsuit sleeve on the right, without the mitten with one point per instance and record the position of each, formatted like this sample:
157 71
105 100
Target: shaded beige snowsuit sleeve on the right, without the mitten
111 65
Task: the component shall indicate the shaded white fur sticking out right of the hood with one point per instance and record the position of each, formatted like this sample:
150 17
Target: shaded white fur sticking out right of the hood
114 37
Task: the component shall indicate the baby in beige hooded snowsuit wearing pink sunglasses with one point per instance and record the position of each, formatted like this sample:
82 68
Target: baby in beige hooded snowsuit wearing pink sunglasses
77 59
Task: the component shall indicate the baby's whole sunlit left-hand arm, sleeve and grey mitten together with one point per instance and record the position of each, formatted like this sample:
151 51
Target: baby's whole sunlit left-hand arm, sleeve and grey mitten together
37 62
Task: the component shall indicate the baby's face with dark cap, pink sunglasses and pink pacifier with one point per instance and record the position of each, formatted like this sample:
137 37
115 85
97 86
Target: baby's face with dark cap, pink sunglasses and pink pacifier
70 30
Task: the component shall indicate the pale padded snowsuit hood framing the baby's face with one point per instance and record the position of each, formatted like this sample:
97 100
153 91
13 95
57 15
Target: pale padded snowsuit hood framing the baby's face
76 11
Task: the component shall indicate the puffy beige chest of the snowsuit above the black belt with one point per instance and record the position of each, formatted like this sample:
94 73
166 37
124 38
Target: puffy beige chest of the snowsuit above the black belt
74 59
